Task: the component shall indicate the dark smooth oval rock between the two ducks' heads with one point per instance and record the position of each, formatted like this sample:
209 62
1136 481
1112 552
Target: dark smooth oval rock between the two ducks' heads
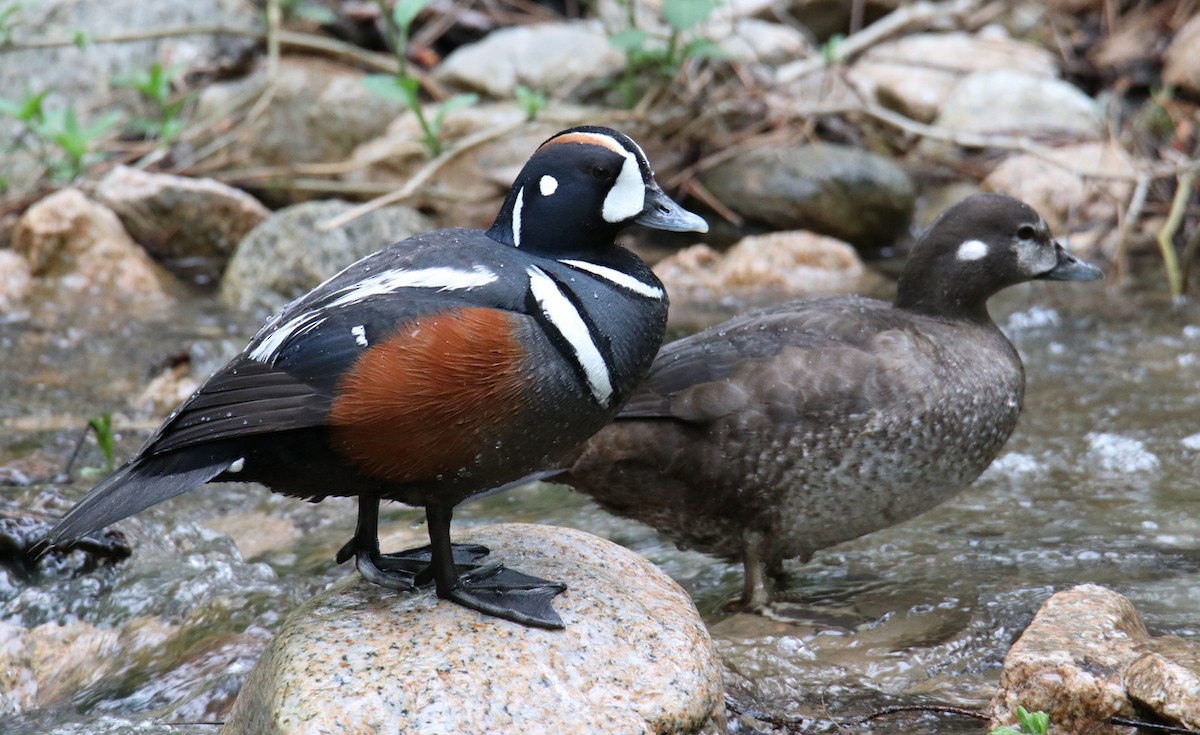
835 190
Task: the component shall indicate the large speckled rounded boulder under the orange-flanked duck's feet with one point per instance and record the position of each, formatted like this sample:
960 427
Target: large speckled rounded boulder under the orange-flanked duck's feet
634 658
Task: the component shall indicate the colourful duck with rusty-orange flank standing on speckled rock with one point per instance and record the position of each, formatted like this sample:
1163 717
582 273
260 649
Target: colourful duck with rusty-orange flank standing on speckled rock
443 367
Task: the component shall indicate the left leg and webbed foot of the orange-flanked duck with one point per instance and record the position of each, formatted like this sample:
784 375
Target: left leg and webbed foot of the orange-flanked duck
404 570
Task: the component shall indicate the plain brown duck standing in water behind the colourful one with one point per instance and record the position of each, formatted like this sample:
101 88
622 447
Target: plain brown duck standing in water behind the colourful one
807 425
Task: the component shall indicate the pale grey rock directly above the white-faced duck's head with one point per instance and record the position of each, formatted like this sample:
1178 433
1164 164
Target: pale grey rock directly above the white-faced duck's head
547 58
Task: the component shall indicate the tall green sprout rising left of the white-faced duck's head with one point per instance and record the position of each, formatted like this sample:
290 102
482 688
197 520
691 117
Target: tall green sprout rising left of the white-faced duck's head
404 86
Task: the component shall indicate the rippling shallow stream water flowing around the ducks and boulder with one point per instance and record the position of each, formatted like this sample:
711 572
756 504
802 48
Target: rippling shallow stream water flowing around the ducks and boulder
1099 486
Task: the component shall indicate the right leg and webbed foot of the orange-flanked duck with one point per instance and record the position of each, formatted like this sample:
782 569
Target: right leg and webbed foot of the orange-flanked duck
491 589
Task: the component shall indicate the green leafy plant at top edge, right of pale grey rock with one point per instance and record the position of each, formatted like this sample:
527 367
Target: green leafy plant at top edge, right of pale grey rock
645 56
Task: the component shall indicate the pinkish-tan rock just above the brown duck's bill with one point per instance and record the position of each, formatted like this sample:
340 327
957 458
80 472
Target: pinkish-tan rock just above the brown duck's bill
1060 188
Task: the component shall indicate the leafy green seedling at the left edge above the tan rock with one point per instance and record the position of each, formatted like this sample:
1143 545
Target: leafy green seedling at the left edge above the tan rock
61 129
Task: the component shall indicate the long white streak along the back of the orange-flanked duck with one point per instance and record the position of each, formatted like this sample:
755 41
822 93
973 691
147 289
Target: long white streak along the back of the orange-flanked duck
381 284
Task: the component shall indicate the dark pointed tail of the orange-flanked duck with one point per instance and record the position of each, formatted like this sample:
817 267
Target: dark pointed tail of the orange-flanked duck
135 488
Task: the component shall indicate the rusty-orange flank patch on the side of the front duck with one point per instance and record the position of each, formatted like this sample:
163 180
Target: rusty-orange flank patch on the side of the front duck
430 398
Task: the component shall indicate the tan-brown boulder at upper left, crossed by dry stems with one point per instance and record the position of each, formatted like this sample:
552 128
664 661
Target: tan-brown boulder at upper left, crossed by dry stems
320 111
